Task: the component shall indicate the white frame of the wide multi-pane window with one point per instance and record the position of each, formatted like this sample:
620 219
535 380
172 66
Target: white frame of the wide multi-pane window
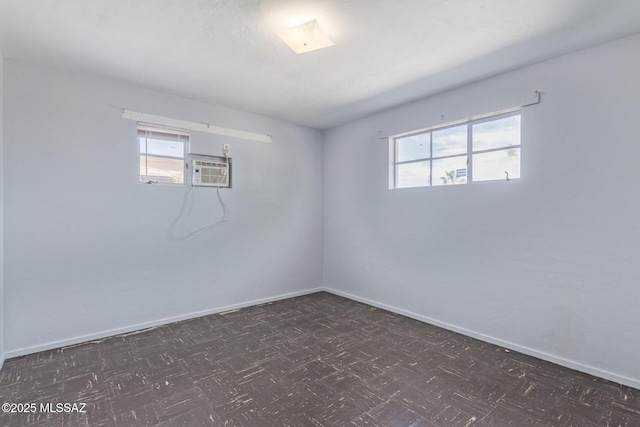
393 149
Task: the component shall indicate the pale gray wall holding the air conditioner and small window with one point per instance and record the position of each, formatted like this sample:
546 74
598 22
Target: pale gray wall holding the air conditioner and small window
90 252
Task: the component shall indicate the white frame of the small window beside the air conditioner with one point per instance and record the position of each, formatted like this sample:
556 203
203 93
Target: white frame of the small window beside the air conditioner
182 136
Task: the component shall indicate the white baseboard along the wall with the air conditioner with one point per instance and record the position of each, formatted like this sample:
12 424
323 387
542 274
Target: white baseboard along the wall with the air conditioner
127 329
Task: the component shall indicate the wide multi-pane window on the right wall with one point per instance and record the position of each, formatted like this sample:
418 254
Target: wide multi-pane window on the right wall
487 149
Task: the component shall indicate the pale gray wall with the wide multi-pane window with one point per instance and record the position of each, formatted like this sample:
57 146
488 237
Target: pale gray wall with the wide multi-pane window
549 264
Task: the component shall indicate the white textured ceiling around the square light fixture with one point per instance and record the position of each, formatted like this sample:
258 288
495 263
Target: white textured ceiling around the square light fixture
226 52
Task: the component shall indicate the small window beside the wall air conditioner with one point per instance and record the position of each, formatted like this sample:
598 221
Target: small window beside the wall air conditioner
162 154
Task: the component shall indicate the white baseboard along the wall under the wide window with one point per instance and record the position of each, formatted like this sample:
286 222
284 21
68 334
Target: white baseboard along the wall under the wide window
635 383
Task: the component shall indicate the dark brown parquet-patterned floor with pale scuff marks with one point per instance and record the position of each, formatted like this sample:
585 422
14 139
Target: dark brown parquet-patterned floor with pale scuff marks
315 360
